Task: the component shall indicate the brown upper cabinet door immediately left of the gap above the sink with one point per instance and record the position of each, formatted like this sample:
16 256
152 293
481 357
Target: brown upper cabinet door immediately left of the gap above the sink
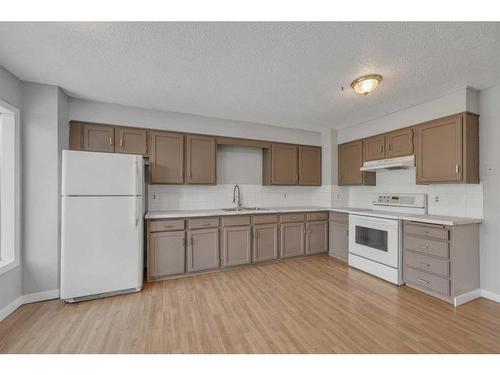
201 159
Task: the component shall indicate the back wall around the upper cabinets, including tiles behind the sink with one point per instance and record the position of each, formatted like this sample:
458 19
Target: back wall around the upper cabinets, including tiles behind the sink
236 165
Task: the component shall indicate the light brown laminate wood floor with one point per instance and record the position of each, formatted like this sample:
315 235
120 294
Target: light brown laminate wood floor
308 305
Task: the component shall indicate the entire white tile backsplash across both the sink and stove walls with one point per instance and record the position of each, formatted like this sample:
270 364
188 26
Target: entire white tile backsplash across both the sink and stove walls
445 199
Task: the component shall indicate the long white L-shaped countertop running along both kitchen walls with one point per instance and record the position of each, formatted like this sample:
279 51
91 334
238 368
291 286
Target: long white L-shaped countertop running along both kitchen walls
430 219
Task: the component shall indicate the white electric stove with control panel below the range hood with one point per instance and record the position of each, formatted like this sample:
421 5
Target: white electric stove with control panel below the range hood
375 243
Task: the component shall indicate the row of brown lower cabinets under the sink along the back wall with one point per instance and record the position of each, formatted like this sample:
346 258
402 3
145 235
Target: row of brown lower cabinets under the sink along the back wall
180 246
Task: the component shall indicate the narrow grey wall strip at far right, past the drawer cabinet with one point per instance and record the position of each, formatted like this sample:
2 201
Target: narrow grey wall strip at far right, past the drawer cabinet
489 138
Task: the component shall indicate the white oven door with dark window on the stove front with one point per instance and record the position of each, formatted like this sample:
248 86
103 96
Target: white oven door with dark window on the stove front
375 238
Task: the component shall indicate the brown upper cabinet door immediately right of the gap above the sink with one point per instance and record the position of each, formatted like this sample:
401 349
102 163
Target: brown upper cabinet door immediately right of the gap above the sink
284 164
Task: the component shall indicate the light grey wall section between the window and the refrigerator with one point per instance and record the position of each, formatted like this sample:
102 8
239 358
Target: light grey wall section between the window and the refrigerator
45 131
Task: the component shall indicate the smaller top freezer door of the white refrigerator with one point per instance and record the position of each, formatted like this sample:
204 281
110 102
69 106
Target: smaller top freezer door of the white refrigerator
101 173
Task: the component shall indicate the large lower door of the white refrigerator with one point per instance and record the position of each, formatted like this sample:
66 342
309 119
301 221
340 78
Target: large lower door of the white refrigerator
101 245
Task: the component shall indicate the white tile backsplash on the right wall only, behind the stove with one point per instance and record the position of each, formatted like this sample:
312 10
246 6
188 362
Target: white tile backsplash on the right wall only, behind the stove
444 199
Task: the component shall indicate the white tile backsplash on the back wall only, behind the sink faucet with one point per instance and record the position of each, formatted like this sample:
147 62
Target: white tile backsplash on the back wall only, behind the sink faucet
188 197
